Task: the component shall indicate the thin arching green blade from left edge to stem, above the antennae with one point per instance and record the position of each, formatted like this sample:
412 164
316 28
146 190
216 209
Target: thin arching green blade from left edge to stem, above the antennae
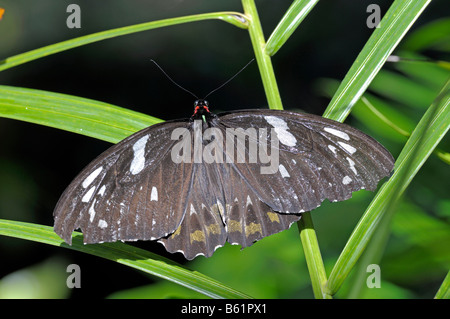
234 18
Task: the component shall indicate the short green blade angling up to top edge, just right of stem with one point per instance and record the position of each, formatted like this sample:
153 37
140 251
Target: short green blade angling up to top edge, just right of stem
298 11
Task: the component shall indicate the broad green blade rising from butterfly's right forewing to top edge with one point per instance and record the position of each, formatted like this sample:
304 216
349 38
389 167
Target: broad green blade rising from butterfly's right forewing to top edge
394 25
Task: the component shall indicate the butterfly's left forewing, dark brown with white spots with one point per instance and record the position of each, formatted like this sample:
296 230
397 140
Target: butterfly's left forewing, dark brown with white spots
119 196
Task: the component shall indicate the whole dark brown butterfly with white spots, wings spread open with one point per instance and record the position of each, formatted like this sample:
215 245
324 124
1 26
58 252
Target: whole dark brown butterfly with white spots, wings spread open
179 182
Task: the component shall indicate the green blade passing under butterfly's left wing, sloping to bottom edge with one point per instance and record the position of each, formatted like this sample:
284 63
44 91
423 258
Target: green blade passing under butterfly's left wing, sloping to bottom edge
127 255
